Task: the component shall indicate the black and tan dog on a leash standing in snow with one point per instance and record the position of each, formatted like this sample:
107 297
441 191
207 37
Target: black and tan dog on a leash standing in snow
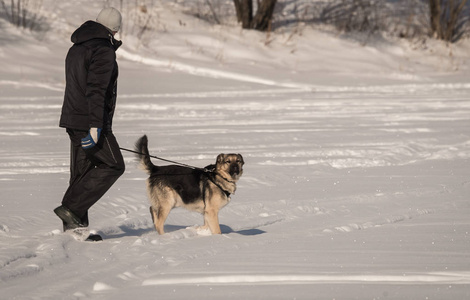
202 190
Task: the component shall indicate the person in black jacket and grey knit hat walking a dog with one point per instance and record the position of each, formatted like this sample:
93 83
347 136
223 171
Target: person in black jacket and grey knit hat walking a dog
96 161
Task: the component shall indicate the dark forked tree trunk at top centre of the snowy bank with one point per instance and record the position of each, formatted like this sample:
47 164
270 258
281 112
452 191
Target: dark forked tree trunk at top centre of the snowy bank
263 17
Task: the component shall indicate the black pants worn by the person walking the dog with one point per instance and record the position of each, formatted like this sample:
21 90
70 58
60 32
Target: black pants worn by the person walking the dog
92 172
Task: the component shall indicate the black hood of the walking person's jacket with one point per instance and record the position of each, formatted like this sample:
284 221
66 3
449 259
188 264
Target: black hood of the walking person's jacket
93 30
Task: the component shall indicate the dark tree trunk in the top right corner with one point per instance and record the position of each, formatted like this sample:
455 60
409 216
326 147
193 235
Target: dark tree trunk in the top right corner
445 18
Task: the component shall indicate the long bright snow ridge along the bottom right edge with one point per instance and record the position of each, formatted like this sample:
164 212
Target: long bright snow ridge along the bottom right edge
440 278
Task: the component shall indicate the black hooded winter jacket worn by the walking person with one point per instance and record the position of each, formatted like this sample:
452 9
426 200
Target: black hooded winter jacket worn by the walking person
91 73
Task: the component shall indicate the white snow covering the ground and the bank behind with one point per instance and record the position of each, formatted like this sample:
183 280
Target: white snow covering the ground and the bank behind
356 181
